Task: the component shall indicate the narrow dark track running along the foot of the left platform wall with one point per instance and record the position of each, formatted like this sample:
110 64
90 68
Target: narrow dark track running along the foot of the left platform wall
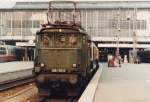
16 82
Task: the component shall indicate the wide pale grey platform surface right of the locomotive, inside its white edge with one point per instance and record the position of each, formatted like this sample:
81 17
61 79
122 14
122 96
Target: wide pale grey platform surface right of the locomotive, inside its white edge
130 83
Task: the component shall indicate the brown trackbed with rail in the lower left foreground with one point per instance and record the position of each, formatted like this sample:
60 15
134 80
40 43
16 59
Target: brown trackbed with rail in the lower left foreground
24 93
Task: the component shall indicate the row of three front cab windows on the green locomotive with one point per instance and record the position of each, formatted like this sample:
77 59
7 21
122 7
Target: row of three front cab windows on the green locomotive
59 40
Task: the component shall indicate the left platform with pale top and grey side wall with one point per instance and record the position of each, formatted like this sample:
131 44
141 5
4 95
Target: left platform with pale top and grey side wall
16 69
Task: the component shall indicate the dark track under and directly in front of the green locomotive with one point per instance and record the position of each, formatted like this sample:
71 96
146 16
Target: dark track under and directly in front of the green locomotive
61 96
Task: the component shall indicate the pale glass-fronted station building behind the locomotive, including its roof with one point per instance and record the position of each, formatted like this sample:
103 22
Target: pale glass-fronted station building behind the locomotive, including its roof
110 23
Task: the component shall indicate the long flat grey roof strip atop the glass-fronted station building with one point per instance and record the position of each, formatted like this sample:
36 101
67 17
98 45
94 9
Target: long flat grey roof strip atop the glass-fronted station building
81 5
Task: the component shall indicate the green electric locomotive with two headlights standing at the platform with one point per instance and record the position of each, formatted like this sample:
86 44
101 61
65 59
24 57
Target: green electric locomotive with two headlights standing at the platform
64 55
